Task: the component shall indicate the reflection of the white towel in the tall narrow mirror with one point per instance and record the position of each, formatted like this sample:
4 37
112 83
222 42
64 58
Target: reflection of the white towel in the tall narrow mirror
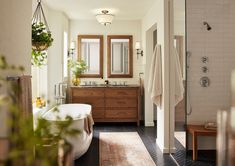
179 86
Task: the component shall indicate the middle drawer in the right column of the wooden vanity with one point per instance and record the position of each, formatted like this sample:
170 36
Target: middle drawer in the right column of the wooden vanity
121 103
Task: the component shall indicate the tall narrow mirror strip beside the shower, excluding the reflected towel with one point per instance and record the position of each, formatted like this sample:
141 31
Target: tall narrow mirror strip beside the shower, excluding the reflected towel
181 107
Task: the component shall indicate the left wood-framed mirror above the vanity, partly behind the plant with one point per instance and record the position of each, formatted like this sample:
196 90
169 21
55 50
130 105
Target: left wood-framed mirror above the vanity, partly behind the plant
90 49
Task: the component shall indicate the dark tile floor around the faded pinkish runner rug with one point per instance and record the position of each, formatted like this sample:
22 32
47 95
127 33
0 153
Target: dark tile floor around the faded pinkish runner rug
148 136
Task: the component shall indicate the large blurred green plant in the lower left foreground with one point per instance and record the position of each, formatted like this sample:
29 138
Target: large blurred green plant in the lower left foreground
27 145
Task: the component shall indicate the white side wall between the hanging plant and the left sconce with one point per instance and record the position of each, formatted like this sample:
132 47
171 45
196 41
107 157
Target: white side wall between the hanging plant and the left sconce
58 23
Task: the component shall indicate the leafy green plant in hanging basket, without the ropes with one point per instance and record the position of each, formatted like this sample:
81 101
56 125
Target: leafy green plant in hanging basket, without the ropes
41 38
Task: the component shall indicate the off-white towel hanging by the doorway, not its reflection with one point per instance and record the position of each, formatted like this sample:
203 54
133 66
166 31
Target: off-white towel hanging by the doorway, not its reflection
155 77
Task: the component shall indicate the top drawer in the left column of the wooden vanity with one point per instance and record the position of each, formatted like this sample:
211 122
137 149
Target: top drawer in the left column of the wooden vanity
91 92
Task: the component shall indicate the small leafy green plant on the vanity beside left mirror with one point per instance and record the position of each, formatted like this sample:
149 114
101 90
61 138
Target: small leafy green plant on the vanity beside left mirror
77 67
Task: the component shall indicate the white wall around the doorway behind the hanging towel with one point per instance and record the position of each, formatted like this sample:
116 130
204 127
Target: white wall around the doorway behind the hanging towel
153 19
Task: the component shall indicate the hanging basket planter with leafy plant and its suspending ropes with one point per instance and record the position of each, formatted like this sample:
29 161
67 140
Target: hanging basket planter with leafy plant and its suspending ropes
41 35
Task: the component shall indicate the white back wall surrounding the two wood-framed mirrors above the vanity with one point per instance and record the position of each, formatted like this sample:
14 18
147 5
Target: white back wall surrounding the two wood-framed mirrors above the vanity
118 27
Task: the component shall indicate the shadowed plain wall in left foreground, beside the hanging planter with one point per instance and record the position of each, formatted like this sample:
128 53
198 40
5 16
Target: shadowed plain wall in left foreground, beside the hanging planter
15 39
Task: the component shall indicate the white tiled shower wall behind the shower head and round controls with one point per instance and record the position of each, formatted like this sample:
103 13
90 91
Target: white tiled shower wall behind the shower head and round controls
218 45
